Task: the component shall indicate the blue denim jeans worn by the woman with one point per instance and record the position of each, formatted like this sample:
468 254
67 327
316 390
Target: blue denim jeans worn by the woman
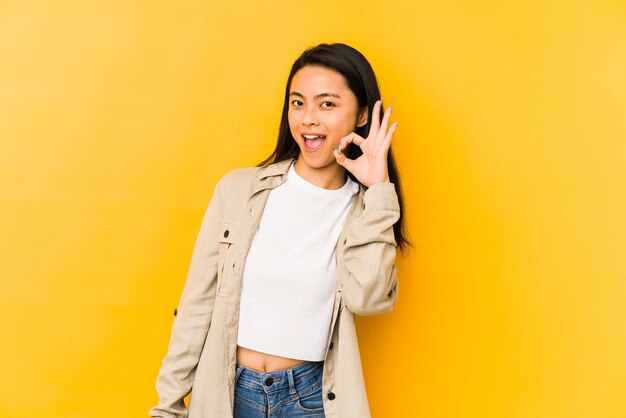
286 393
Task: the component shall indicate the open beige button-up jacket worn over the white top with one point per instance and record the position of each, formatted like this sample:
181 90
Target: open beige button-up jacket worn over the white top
201 355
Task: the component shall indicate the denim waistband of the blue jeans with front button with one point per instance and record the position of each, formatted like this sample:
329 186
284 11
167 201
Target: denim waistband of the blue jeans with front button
280 379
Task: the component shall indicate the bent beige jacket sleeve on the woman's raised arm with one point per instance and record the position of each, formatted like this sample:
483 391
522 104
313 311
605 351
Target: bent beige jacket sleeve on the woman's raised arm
371 284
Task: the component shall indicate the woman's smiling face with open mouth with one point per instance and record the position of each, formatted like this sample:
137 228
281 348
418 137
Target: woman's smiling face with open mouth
322 110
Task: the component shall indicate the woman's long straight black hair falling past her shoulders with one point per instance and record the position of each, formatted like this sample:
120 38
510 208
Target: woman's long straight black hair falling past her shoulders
359 75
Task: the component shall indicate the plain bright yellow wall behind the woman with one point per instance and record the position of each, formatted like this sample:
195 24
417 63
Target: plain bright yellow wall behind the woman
117 118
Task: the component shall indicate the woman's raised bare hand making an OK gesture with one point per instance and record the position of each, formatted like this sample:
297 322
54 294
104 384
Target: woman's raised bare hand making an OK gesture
371 167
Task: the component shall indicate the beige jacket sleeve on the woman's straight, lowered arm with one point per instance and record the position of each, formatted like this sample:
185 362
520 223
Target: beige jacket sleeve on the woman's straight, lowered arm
192 319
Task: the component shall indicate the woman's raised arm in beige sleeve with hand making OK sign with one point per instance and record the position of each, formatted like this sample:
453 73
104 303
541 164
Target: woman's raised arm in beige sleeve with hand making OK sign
370 247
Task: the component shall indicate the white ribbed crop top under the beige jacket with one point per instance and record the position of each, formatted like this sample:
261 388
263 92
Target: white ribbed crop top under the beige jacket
290 274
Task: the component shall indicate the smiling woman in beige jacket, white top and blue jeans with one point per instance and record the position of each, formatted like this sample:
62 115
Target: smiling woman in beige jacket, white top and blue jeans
287 253
